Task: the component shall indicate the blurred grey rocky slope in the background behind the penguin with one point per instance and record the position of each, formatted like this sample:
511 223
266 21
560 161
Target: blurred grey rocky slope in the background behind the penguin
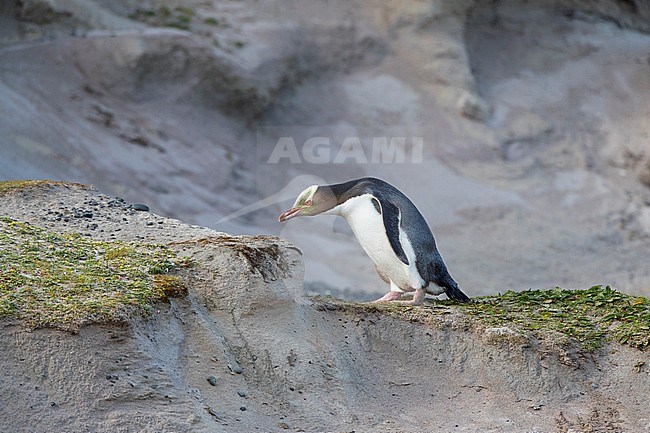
534 119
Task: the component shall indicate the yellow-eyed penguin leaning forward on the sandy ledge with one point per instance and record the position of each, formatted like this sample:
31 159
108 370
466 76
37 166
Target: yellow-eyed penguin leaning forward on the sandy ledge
390 229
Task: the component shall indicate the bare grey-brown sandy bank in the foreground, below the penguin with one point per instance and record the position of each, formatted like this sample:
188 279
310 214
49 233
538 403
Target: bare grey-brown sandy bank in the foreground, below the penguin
247 351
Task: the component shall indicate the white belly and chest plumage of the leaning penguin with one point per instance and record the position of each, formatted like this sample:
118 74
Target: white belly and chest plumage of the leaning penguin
368 227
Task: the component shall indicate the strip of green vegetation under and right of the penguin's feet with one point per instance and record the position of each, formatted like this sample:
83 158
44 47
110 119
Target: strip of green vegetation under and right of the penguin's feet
590 317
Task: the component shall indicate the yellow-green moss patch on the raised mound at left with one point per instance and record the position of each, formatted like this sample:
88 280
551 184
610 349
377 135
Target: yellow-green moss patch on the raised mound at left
66 281
